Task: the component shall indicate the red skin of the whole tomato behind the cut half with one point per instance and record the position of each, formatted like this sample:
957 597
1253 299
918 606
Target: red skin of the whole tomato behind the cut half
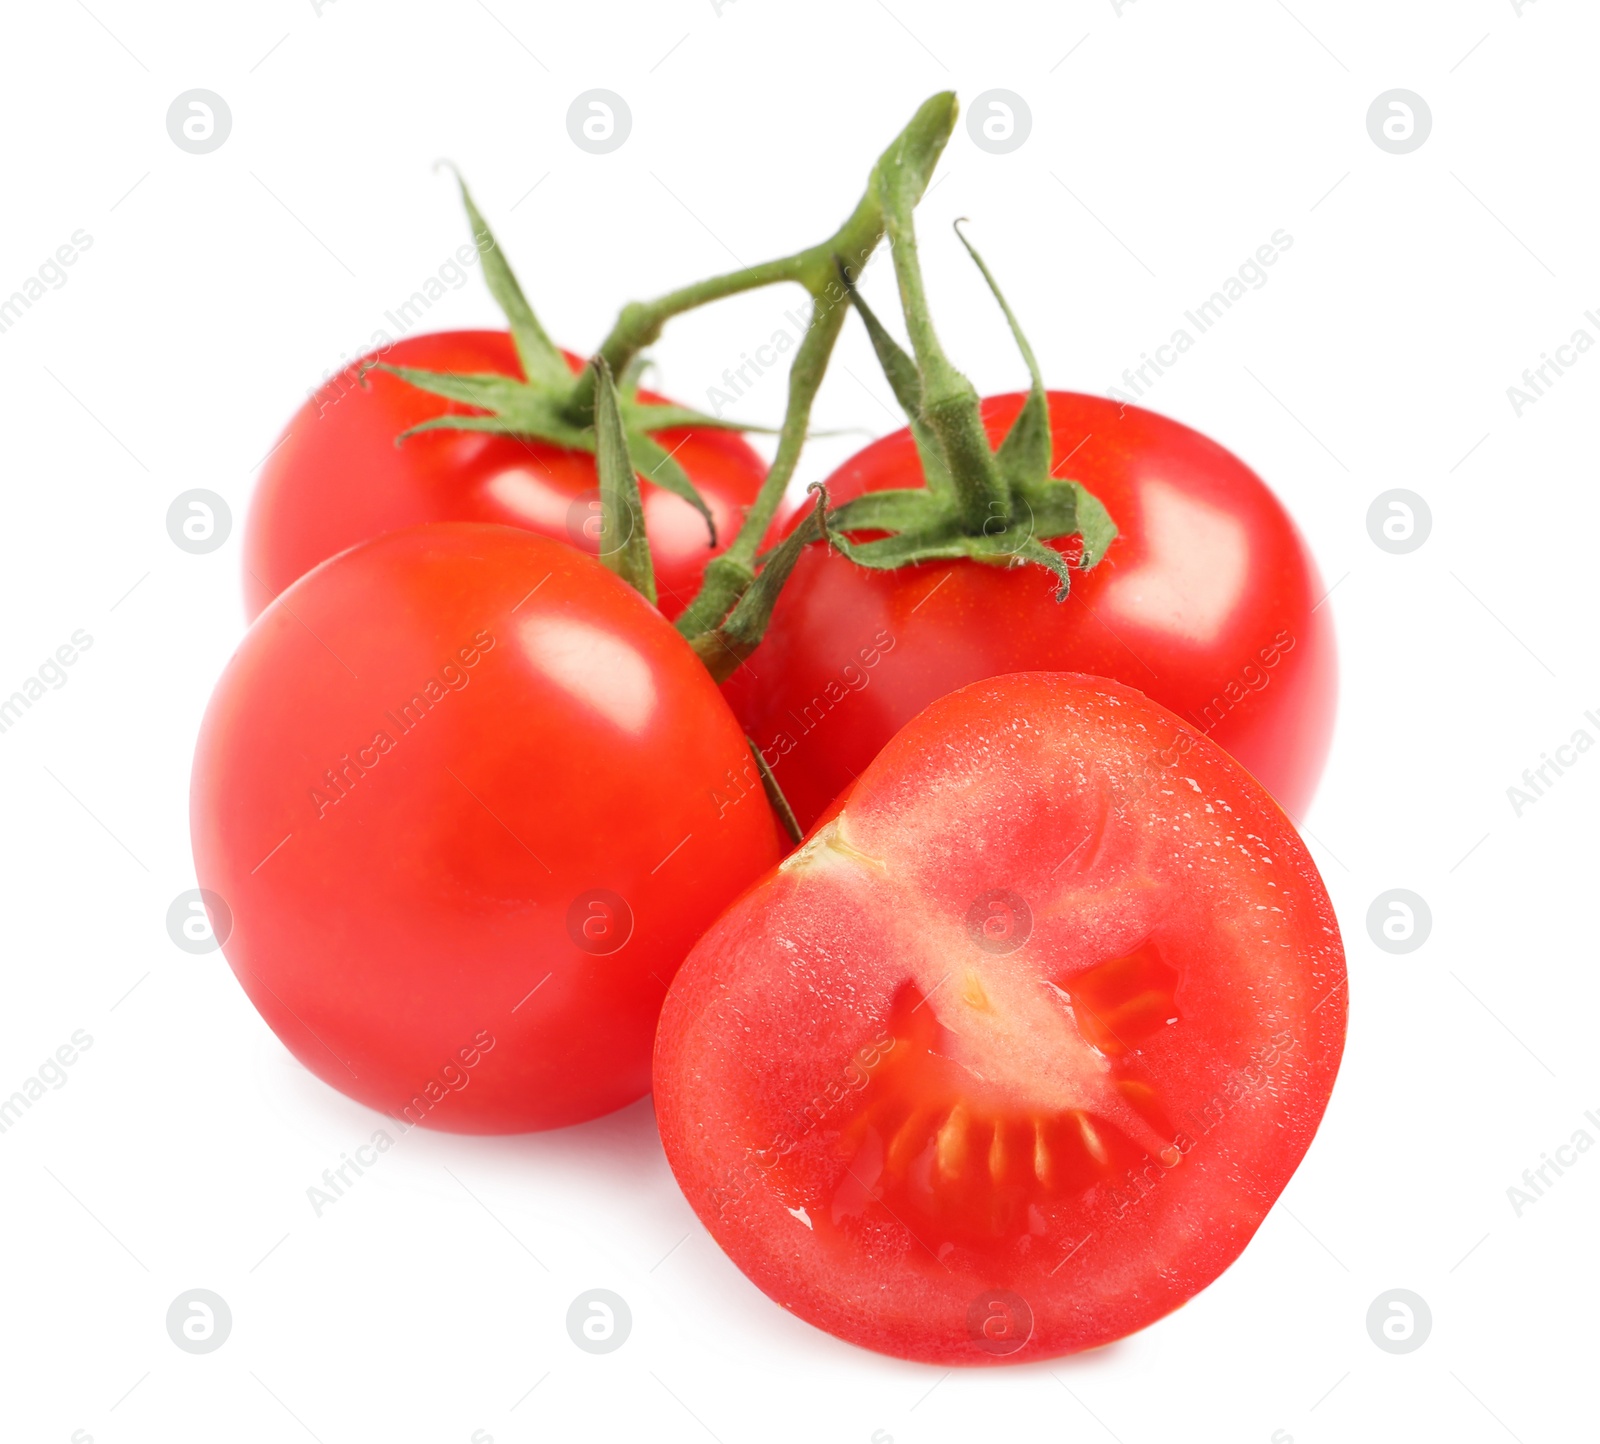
1207 601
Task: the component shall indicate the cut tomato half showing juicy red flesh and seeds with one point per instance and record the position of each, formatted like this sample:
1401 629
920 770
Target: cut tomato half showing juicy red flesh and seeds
1015 1054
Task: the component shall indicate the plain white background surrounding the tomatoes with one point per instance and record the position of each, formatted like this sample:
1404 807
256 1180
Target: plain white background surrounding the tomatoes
1169 143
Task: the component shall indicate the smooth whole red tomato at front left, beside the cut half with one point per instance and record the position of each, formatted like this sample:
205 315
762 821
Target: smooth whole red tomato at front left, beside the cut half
470 801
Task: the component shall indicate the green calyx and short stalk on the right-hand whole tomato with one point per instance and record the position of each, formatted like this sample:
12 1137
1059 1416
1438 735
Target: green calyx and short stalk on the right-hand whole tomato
990 505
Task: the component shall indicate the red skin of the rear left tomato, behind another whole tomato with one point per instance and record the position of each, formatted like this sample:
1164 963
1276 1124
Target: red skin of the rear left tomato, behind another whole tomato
337 476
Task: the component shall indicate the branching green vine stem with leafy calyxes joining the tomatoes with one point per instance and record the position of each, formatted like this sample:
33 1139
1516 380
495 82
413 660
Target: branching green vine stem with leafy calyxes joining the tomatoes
991 505
